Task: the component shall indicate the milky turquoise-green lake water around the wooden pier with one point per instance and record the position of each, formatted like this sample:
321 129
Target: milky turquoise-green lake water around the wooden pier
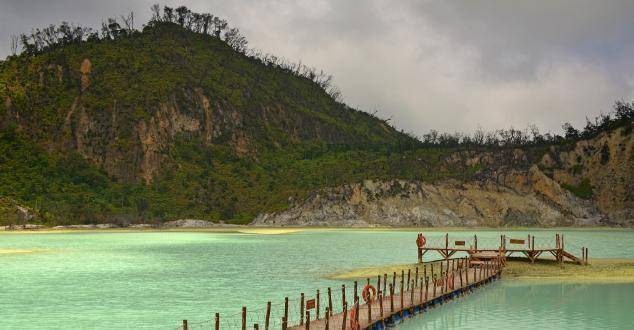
155 279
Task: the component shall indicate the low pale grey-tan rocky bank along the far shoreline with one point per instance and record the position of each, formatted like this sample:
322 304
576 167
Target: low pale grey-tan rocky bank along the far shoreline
411 203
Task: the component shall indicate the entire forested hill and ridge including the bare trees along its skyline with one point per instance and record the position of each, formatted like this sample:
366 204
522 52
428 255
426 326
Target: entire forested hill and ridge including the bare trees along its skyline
182 120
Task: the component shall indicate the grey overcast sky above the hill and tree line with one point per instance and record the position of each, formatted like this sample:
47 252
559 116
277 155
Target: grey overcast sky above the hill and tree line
447 65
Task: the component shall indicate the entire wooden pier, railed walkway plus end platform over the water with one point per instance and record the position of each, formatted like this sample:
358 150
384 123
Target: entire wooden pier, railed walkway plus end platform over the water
388 299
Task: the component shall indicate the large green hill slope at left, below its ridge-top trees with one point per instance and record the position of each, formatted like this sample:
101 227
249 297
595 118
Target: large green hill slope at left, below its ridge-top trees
73 149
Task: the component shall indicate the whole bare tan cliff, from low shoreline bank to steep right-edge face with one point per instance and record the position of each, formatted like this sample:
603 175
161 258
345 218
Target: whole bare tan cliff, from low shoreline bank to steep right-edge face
509 191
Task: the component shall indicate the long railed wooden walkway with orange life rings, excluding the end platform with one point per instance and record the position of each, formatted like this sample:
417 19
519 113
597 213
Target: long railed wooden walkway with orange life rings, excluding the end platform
390 298
